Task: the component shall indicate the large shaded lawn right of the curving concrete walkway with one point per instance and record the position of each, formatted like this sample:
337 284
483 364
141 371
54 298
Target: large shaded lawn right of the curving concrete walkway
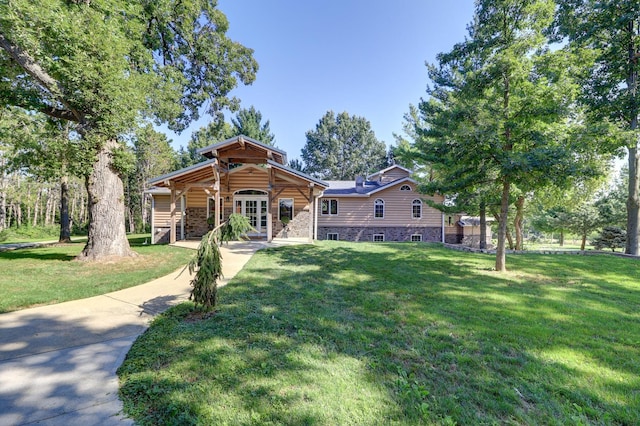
341 333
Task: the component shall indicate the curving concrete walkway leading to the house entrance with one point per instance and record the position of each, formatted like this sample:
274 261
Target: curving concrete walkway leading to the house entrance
58 363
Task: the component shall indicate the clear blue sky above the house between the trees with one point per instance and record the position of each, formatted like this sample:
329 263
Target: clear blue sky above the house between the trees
365 57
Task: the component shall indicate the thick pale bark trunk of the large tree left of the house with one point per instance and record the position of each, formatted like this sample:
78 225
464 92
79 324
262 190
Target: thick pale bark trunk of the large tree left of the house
106 236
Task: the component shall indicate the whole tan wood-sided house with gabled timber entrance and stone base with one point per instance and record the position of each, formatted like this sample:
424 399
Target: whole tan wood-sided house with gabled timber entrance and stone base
242 175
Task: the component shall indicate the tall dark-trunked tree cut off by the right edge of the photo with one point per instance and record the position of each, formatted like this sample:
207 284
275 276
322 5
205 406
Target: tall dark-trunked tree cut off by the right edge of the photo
610 33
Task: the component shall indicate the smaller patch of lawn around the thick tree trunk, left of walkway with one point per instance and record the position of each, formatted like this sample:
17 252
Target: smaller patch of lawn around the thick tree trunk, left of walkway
49 275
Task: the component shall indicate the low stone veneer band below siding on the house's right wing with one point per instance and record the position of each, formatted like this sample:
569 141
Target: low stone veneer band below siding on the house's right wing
399 233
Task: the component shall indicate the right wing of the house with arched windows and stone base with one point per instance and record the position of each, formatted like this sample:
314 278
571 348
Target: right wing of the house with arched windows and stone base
384 206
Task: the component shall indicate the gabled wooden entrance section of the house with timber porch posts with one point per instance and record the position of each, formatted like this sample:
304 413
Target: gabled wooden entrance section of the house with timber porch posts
242 176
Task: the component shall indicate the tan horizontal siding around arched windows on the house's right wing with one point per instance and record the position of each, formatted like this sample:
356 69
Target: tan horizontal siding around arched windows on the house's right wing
398 210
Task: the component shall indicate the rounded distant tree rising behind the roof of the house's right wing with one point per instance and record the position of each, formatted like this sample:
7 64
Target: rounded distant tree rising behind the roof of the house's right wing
342 147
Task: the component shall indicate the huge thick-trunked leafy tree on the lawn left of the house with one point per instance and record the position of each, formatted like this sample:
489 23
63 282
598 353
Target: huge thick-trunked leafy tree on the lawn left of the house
161 60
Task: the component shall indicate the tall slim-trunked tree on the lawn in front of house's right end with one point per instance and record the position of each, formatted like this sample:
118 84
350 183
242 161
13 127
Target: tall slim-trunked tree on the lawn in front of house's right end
501 106
